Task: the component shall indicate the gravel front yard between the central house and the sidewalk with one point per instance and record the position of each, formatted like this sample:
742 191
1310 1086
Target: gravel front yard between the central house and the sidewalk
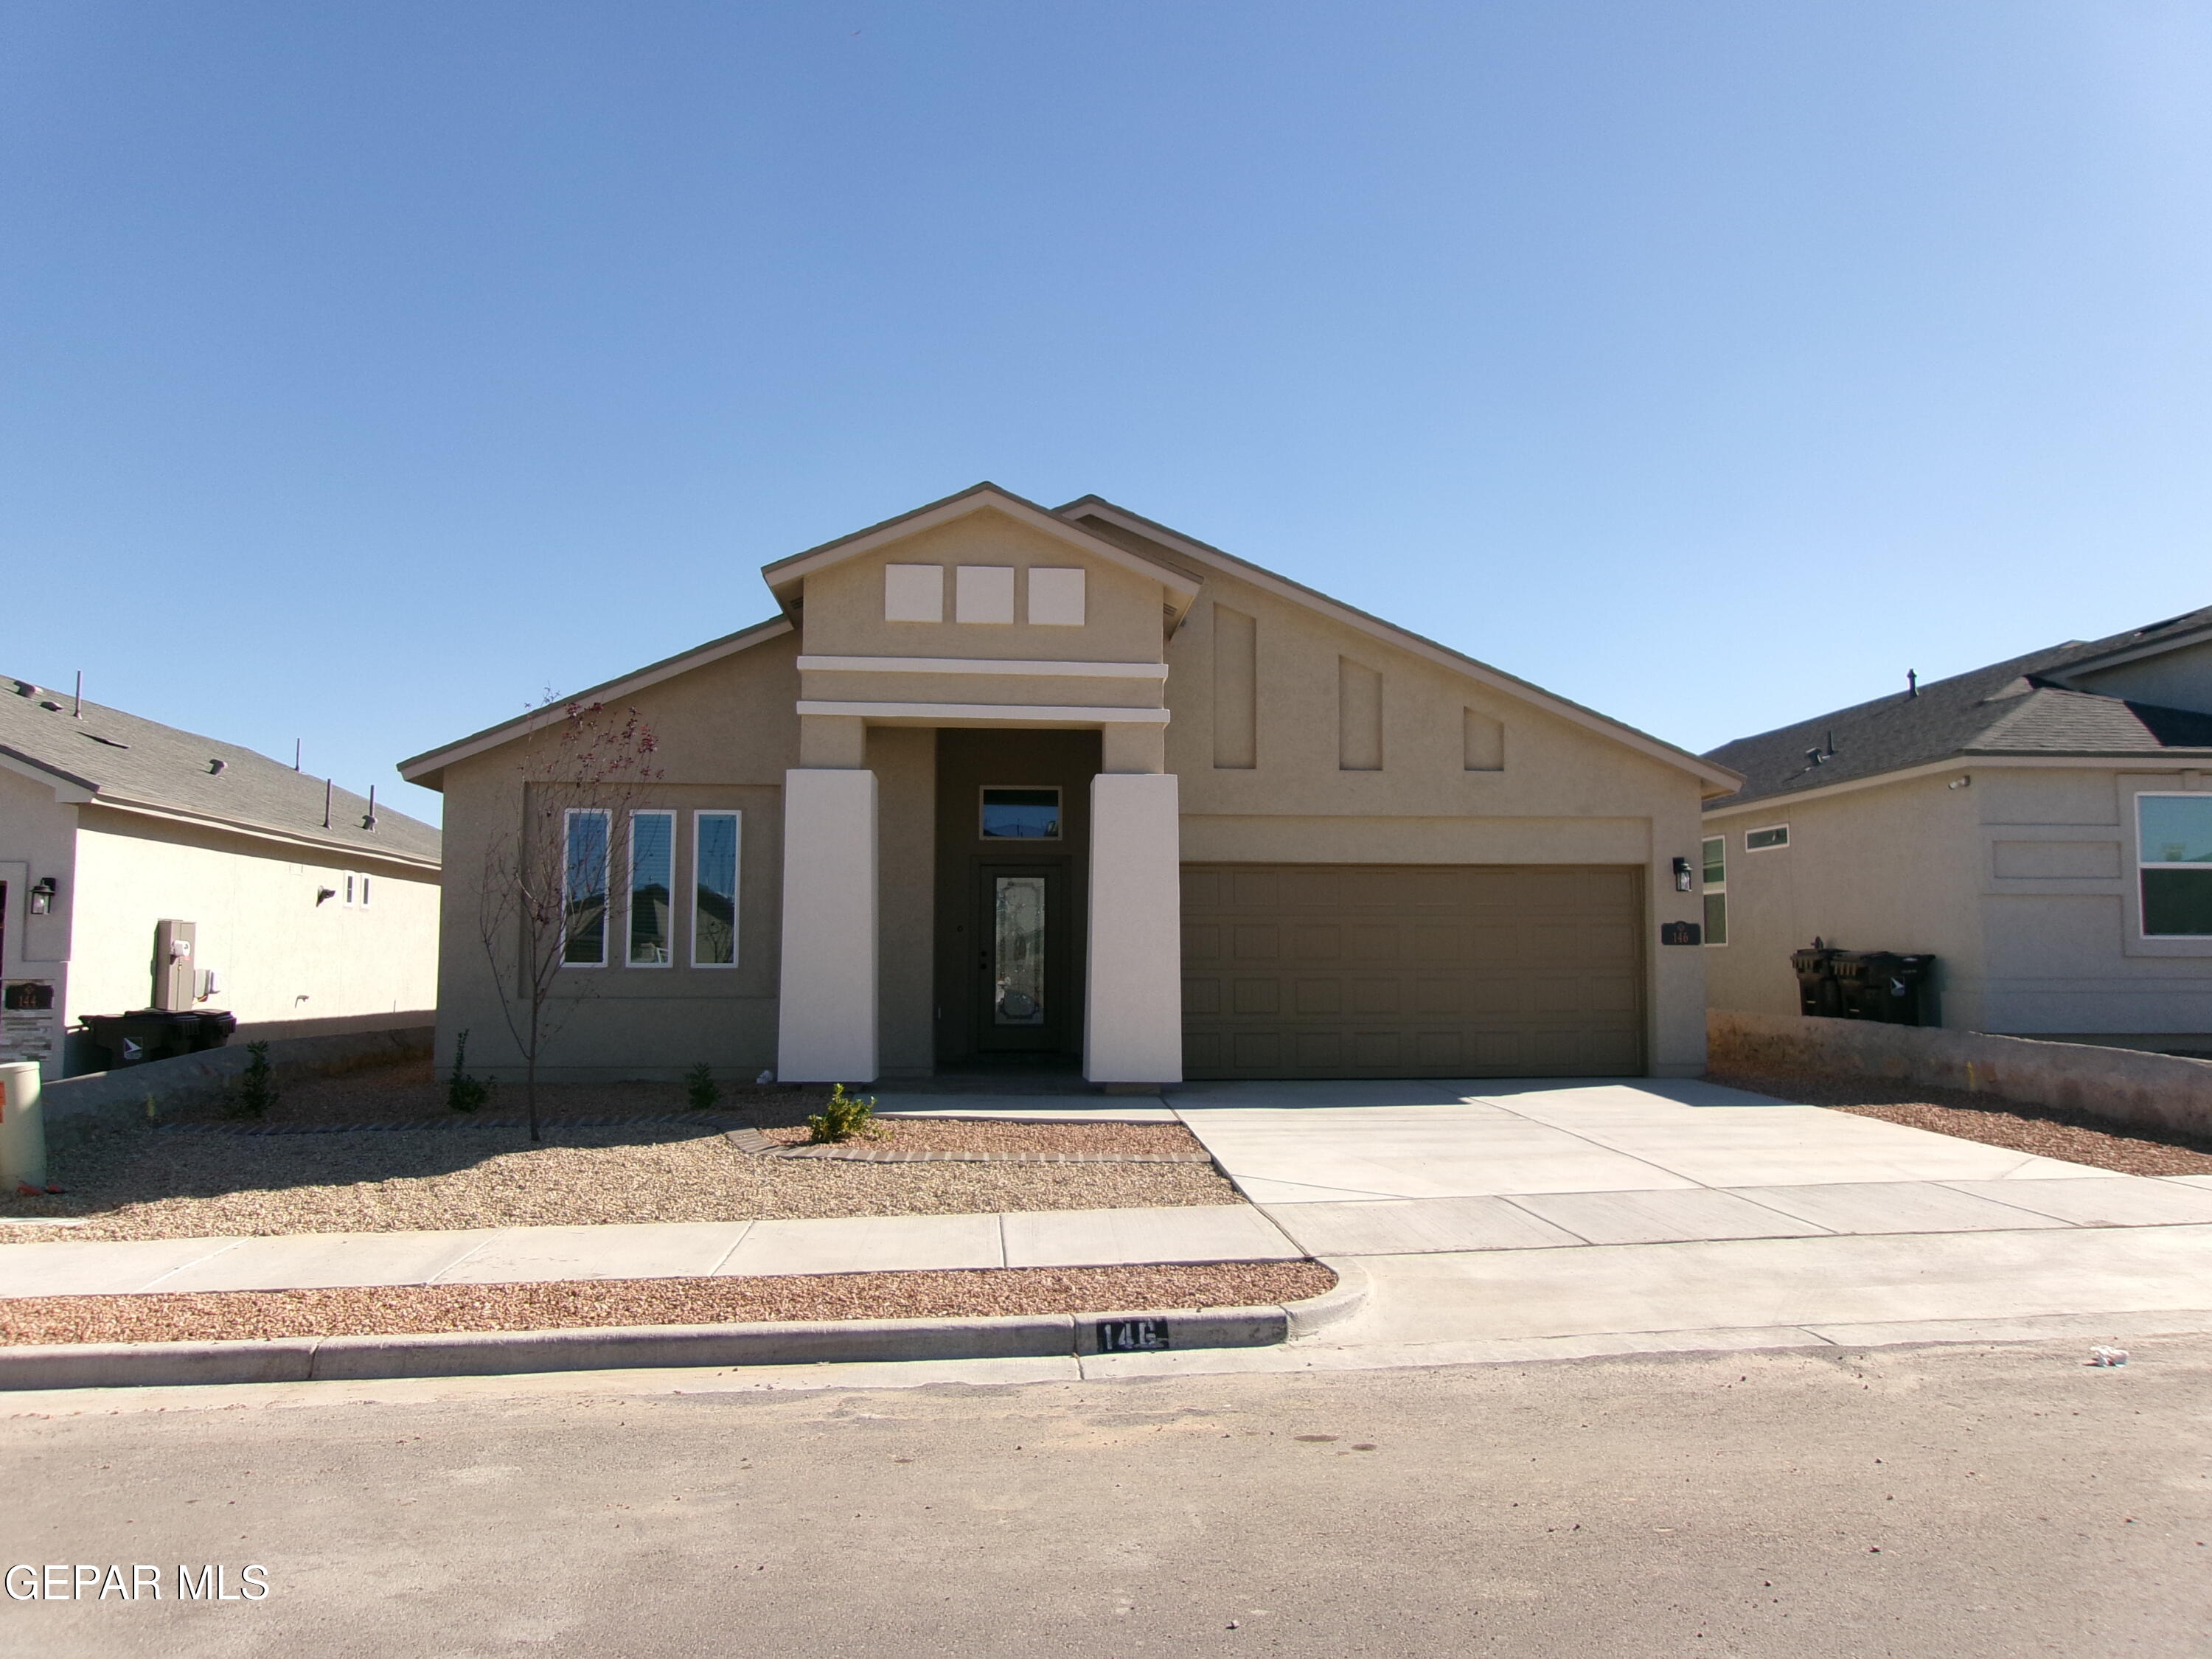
609 1154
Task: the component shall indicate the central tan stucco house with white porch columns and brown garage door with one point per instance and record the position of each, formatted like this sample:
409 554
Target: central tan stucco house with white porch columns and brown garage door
1021 786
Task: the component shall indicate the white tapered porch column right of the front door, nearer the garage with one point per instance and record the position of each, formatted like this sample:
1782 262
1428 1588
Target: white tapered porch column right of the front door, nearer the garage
1136 985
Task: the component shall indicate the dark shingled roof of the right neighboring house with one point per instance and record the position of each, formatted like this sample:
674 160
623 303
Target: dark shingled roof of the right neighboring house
2014 707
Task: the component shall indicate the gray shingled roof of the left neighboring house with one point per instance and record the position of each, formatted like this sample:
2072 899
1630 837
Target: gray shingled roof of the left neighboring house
116 760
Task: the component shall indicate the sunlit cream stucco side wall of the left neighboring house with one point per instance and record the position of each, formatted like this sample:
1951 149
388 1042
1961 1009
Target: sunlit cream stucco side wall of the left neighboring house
280 957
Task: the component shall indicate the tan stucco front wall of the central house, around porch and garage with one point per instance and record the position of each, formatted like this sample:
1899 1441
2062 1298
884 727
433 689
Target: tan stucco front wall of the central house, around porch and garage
1463 775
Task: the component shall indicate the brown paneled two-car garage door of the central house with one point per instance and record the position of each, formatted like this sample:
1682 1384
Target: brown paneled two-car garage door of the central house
1412 972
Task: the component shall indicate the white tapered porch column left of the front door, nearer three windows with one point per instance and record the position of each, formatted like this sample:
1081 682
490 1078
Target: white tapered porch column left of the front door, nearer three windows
826 1003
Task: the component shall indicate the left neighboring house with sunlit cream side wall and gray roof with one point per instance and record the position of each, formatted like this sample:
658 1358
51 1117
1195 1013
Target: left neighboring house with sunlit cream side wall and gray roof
304 917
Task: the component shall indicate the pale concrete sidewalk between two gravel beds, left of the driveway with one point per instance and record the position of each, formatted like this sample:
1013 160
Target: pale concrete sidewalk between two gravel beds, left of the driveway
667 1251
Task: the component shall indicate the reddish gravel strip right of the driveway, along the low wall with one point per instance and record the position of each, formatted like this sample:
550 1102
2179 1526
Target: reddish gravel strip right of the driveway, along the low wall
2043 1131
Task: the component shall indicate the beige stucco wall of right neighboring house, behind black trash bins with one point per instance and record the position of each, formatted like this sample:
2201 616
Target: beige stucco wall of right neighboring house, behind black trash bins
2021 881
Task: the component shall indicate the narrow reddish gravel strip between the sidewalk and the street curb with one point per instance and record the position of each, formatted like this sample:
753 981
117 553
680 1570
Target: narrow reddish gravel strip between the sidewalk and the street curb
395 1311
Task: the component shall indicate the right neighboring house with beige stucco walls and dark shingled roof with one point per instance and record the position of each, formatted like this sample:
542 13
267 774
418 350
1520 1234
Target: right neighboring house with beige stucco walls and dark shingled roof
2043 826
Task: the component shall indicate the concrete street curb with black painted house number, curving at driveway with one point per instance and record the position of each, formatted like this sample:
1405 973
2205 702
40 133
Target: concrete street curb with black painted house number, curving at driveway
609 1348
